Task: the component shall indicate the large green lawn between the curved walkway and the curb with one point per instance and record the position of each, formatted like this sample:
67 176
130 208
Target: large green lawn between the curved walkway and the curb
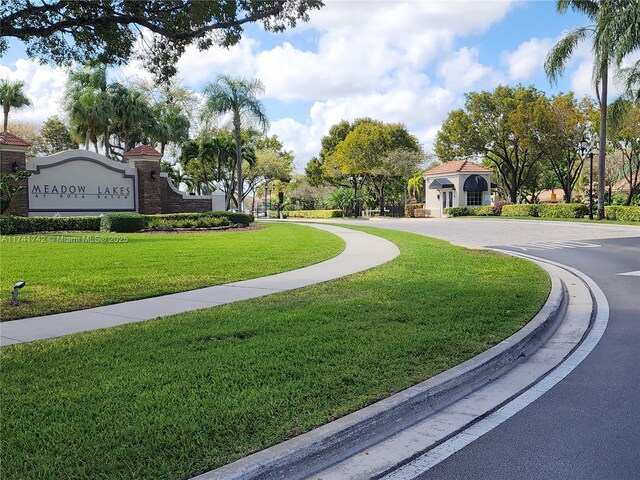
174 397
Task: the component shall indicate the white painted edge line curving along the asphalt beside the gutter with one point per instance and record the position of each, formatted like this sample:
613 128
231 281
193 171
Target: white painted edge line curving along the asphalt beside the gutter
458 442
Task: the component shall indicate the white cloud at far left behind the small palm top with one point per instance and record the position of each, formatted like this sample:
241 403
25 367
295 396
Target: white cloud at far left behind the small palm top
44 86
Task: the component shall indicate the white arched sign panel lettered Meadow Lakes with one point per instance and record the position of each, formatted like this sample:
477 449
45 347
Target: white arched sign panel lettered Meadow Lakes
80 181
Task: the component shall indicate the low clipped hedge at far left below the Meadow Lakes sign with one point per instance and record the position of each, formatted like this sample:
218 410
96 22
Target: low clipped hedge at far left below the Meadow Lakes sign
11 225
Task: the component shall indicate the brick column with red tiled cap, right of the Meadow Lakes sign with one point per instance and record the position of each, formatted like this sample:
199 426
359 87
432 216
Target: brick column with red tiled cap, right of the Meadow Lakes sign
146 160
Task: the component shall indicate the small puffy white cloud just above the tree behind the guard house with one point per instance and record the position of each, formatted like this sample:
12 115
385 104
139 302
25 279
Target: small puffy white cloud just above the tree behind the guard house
462 71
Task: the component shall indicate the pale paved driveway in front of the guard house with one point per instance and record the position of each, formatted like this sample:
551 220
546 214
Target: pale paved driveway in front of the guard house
477 232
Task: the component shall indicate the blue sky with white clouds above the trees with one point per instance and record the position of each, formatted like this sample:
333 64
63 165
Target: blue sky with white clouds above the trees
395 61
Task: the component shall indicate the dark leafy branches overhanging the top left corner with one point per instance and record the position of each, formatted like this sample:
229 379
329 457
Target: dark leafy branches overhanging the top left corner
106 31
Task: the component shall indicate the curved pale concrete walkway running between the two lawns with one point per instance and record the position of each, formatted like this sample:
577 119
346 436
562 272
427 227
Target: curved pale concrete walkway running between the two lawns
362 251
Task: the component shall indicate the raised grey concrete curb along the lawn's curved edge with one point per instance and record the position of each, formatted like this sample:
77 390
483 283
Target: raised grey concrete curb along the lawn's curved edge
324 446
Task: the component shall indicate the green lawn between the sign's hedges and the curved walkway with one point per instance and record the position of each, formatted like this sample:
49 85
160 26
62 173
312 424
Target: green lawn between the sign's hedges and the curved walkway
62 275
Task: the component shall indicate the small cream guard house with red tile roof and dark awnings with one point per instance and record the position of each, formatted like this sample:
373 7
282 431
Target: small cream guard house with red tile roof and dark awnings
457 184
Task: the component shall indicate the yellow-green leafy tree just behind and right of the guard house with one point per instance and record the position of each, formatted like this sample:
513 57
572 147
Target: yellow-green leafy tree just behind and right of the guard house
498 126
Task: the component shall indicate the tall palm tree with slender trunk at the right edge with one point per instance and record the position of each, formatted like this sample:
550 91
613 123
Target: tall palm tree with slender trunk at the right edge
603 14
